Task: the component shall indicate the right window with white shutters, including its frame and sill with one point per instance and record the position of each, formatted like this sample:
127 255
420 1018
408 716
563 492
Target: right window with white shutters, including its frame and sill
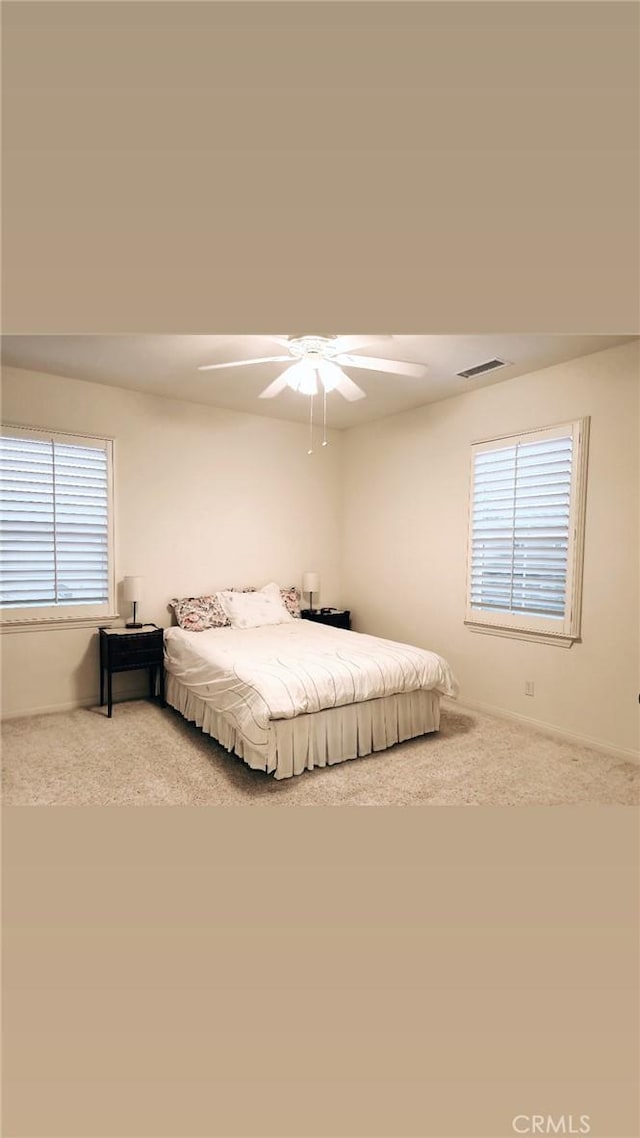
527 525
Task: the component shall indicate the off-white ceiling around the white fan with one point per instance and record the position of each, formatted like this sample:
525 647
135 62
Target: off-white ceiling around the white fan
168 366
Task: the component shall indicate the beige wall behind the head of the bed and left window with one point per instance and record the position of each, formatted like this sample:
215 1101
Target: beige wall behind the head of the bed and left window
206 499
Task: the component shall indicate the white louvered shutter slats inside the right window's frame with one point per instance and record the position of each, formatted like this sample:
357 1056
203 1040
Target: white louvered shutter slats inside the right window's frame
521 529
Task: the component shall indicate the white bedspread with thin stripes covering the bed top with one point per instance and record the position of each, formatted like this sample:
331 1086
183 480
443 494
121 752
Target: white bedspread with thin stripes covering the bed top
257 675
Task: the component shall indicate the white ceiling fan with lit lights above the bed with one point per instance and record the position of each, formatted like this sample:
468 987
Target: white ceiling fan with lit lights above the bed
317 365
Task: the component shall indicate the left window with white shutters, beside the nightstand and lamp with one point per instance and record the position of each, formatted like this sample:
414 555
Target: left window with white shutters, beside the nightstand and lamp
56 508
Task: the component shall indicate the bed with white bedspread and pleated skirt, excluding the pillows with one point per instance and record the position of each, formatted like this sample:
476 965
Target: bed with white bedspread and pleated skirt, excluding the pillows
292 697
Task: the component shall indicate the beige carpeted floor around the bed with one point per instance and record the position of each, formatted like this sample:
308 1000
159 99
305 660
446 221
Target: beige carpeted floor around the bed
149 756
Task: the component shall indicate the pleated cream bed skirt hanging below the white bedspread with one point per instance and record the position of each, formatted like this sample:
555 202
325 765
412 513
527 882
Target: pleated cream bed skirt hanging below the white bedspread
317 740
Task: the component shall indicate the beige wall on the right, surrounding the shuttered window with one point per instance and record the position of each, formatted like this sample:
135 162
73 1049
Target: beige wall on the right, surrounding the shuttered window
407 482
